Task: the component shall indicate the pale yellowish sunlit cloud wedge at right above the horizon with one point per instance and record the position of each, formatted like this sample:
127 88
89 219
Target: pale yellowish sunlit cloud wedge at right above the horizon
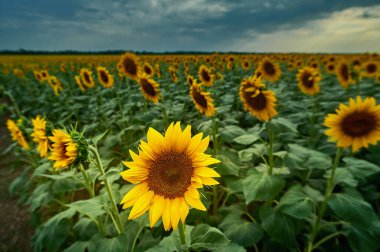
355 29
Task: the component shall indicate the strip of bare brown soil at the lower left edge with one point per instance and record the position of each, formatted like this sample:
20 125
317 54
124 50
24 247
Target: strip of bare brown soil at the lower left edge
15 228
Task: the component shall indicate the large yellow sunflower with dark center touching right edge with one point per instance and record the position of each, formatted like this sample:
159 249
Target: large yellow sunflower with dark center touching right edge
355 125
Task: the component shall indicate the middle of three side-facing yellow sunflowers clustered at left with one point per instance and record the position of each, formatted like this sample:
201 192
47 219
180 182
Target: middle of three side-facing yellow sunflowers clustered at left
39 135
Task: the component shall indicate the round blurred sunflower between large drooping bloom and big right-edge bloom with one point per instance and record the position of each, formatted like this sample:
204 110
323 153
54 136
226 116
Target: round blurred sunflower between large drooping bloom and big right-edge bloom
308 79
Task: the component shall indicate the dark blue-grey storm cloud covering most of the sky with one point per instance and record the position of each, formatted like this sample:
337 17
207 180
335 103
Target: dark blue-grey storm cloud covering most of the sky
160 25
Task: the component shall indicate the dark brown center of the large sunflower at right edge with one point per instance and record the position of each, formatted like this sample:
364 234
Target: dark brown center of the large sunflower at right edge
358 124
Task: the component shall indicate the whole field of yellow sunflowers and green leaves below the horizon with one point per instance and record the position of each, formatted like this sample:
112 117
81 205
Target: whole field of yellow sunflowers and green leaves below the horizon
212 152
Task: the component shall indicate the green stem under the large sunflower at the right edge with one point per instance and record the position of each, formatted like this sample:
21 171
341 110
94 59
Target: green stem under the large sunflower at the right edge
322 209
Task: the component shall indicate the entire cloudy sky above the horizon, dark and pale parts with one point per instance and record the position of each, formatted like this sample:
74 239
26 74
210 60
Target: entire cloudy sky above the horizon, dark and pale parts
345 26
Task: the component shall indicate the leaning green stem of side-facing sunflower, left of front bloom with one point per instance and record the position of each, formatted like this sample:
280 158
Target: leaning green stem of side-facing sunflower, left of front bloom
114 211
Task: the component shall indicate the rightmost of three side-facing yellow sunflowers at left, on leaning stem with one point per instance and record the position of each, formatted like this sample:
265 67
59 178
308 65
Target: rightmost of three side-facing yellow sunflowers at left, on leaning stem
64 149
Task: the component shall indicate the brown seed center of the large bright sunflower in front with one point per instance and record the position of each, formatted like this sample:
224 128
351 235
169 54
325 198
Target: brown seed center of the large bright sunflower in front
170 174
